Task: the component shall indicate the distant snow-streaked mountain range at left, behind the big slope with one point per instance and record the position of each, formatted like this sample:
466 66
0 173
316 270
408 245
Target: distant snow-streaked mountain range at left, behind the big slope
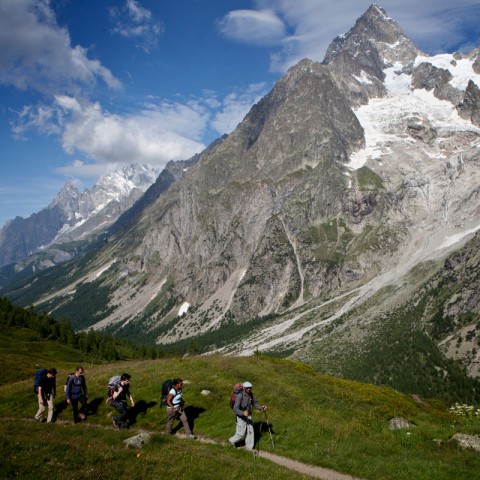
73 216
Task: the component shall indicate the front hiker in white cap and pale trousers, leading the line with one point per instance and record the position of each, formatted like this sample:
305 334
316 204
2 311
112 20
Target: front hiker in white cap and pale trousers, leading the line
244 400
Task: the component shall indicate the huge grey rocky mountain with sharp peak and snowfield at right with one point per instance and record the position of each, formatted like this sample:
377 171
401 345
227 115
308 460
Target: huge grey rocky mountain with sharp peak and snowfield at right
328 212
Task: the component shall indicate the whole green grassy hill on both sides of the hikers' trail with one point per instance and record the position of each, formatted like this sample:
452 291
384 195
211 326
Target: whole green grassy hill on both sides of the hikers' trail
315 419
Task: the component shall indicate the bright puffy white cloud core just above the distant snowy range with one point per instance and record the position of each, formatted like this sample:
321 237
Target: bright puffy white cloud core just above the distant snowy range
152 135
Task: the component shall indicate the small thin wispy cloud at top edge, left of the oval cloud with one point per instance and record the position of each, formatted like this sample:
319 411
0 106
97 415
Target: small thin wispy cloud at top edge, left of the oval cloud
135 22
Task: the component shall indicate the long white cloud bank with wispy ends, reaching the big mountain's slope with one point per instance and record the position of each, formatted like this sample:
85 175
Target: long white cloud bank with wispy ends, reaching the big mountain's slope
154 133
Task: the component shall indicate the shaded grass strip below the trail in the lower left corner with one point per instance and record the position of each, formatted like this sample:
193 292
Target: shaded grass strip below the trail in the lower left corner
95 453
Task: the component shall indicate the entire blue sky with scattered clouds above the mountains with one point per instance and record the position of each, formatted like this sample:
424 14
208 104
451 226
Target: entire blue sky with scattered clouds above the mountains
87 86
